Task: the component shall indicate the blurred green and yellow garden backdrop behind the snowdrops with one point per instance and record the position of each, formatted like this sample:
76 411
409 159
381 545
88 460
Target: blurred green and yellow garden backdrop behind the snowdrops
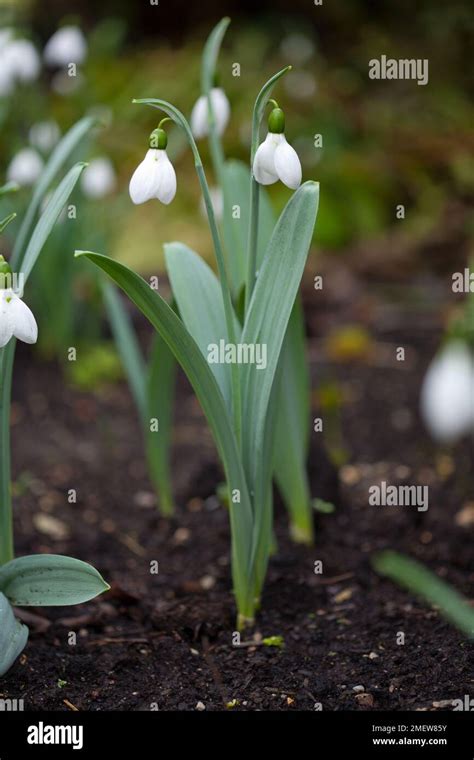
384 144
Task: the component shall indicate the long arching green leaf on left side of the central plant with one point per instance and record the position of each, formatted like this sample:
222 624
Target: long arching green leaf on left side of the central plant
188 354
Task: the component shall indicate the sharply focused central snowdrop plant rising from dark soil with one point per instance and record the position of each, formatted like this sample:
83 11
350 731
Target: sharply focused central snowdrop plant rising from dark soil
240 398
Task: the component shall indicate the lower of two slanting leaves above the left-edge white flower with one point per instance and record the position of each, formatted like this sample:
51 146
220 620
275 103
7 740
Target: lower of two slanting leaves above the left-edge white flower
47 221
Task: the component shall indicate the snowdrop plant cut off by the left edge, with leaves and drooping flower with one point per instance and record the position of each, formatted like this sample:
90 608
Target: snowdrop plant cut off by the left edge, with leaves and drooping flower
43 579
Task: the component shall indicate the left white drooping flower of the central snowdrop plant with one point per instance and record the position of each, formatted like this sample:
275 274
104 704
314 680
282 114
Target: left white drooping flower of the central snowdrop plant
155 177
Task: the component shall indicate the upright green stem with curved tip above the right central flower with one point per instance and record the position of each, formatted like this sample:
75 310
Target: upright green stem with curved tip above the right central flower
259 109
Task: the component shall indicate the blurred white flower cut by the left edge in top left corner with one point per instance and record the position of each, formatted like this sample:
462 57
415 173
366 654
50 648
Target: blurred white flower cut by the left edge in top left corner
19 62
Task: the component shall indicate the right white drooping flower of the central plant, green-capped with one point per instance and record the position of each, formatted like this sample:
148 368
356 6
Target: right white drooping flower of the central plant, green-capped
275 159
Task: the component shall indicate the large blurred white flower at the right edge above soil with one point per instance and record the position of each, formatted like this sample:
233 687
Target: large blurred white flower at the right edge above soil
447 394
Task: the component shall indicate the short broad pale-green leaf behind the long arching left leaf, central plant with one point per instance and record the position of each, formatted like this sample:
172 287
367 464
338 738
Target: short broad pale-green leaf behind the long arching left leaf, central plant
199 299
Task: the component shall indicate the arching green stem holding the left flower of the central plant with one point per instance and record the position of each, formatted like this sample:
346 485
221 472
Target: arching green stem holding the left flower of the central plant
179 119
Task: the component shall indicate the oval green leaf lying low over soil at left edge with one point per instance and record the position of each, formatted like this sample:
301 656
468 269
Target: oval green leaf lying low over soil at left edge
49 580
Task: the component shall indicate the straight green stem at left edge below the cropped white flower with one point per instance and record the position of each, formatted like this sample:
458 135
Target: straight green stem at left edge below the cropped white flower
6 522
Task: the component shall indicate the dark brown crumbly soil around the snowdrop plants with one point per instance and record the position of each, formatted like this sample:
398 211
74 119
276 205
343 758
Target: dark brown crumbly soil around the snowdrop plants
165 641
